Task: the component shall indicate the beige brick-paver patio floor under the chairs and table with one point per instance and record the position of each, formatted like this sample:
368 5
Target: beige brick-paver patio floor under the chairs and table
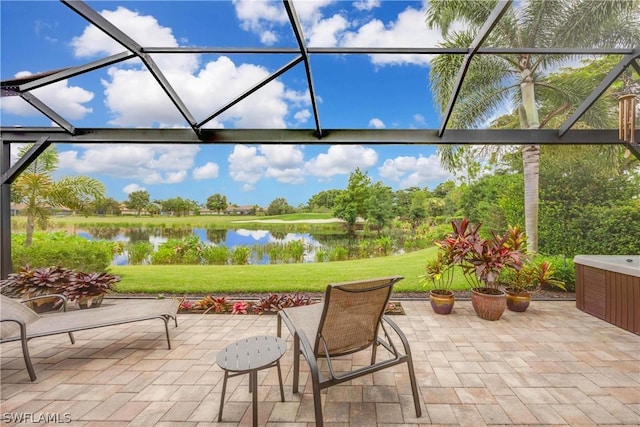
552 365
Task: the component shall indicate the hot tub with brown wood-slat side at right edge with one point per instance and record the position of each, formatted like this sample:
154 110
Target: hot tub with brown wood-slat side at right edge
608 287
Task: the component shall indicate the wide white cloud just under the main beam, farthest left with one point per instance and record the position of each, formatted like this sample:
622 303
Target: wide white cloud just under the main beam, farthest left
150 164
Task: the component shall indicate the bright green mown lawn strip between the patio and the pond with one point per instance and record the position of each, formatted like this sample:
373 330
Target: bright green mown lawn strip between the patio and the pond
280 278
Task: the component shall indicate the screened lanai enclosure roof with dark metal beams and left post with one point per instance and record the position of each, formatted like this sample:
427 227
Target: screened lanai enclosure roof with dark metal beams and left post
124 60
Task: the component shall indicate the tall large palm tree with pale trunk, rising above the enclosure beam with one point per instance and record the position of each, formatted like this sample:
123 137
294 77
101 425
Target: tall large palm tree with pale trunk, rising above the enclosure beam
520 80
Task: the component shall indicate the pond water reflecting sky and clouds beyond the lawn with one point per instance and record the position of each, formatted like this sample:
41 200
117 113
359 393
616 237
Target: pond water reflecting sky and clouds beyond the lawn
229 238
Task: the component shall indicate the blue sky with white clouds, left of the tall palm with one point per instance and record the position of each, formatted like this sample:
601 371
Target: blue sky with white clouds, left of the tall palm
358 91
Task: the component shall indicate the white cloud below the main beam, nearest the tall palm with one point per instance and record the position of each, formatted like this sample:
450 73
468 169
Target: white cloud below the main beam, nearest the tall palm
411 171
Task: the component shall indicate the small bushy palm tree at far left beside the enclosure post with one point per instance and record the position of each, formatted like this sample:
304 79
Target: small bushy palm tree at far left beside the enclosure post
36 188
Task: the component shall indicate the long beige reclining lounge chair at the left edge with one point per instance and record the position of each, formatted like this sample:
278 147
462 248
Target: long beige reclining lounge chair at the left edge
20 323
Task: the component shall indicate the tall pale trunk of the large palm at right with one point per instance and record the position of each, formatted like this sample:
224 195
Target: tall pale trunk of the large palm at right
530 160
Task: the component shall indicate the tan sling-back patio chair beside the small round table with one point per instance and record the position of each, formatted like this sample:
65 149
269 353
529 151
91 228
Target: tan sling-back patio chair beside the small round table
350 320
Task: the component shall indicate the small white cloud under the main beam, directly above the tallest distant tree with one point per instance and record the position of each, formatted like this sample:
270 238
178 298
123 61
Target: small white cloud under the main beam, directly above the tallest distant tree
341 160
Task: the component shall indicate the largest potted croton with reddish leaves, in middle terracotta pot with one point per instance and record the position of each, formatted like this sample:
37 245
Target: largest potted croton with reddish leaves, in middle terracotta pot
482 261
